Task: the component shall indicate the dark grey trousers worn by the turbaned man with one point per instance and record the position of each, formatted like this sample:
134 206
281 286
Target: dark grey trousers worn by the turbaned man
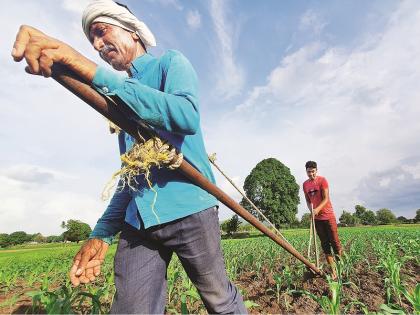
143 256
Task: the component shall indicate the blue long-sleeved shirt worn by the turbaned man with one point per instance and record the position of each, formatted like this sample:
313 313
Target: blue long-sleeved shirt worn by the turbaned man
163 93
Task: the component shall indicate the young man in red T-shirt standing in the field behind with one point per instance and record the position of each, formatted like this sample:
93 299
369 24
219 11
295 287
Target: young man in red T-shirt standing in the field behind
318 201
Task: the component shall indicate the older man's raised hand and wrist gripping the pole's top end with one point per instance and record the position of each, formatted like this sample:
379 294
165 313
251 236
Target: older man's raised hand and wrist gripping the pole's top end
41 52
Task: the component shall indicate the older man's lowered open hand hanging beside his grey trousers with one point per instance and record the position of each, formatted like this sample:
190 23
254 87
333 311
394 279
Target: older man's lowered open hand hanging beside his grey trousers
87 262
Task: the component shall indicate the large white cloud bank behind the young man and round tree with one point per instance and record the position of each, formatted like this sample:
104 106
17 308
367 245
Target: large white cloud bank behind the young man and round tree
355 111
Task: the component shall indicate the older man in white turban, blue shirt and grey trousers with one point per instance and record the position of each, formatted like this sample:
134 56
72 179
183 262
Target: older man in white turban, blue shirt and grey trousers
163 93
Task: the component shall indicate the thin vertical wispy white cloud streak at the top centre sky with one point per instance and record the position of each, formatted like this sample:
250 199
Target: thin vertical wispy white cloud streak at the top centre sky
230 75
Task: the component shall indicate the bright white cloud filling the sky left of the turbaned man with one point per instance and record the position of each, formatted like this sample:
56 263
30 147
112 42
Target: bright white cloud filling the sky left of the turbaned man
58 153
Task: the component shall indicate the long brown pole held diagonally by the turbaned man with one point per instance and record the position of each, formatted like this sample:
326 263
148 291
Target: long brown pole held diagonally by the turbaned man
113 110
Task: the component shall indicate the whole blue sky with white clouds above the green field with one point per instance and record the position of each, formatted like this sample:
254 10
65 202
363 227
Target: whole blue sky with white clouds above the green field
331 81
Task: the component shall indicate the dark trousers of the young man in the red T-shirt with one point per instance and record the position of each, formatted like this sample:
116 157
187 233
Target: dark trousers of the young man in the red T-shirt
328 235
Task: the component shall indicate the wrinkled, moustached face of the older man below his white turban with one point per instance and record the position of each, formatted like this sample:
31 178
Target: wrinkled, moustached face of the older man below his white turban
115 45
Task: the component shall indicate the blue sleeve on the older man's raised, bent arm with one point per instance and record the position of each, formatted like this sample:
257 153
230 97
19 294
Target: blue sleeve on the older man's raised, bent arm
174 108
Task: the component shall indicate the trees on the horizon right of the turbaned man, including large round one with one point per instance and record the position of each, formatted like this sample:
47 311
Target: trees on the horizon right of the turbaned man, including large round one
273 189
